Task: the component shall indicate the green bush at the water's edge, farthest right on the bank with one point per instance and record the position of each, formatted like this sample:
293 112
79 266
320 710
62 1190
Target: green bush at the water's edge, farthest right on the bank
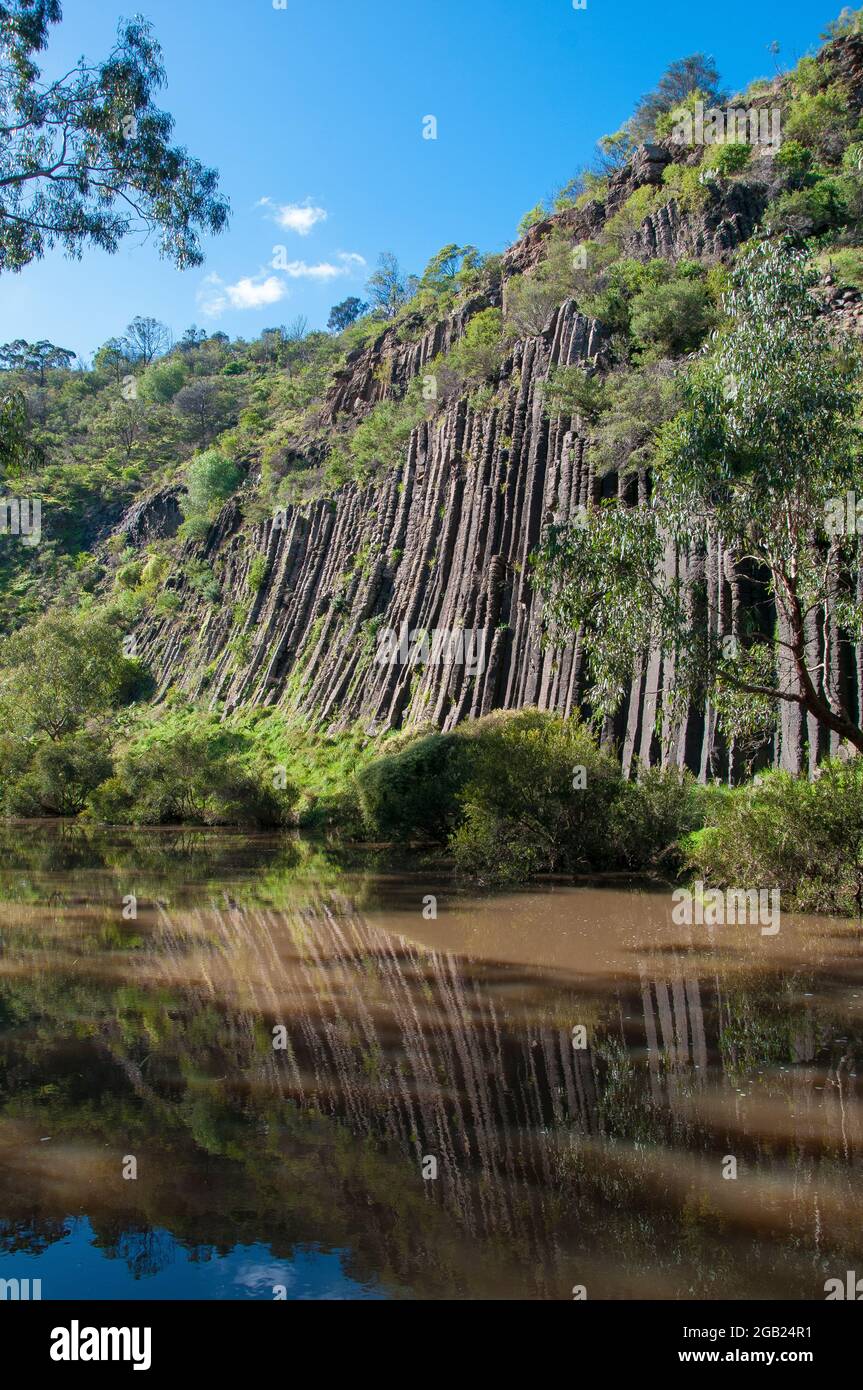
804 837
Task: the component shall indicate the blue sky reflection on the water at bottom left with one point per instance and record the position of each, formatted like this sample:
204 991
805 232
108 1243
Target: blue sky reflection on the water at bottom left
76 1268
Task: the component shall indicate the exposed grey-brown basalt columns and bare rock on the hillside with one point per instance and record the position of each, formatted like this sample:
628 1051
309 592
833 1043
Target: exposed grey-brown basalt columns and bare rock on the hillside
444 543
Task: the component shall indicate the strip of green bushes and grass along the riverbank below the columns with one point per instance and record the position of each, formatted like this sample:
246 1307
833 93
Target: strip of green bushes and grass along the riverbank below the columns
504 800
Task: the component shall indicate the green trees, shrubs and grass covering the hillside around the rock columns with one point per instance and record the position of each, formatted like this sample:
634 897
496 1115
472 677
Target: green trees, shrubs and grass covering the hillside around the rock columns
138 458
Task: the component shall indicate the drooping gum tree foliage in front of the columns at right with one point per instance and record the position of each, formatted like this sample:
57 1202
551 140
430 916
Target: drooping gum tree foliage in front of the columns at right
764 447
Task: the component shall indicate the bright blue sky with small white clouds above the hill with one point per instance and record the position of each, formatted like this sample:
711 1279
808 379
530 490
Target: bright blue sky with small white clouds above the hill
319 108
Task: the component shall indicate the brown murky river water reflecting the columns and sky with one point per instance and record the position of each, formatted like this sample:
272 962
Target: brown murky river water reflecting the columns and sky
583 1075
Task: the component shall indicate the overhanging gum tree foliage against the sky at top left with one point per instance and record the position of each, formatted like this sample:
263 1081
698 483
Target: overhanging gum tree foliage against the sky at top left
88 159
